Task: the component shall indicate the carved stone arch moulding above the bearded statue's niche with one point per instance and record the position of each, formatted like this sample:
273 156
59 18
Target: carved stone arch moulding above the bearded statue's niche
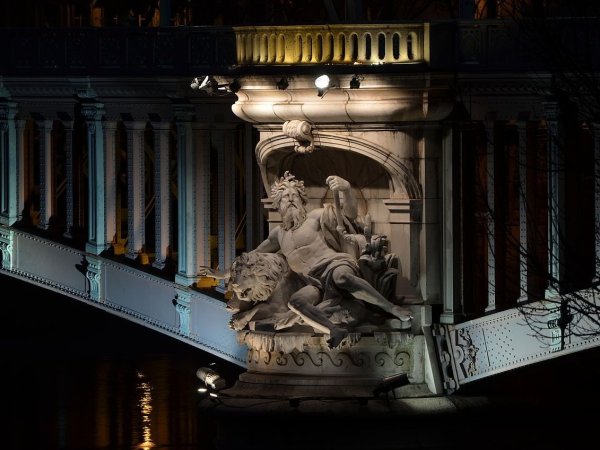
273 152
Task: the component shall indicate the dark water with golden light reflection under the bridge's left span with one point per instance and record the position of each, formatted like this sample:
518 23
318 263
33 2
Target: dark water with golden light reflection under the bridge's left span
75 377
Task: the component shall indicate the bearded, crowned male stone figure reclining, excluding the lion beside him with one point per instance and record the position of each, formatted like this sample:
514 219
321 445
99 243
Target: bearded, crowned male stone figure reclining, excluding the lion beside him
312 250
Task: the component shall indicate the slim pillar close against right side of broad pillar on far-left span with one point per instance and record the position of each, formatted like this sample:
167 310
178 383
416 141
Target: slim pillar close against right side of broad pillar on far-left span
110 144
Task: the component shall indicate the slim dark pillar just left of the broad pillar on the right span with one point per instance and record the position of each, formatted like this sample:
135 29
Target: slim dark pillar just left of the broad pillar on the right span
523 216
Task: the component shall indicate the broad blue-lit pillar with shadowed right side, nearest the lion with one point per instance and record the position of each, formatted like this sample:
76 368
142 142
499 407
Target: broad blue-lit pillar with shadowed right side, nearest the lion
193 179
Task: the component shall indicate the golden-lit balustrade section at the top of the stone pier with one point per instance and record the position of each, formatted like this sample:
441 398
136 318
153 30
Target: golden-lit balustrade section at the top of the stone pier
334 44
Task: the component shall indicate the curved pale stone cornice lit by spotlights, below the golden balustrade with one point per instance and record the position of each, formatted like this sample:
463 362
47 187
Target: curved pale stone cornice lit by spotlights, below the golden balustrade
379 99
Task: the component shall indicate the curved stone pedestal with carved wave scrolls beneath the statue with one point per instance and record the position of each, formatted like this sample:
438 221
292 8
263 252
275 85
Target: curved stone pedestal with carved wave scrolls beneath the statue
300 366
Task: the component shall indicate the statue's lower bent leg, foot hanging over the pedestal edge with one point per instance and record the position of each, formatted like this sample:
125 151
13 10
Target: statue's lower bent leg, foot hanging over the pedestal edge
303 303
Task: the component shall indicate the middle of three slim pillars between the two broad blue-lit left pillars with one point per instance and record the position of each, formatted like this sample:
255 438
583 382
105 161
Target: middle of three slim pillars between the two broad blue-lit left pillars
136 217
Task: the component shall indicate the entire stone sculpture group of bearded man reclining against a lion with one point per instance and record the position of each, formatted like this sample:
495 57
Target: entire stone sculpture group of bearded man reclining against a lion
320 270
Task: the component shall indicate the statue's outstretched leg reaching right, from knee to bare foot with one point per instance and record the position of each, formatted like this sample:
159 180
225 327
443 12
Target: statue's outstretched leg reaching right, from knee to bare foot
345 278
